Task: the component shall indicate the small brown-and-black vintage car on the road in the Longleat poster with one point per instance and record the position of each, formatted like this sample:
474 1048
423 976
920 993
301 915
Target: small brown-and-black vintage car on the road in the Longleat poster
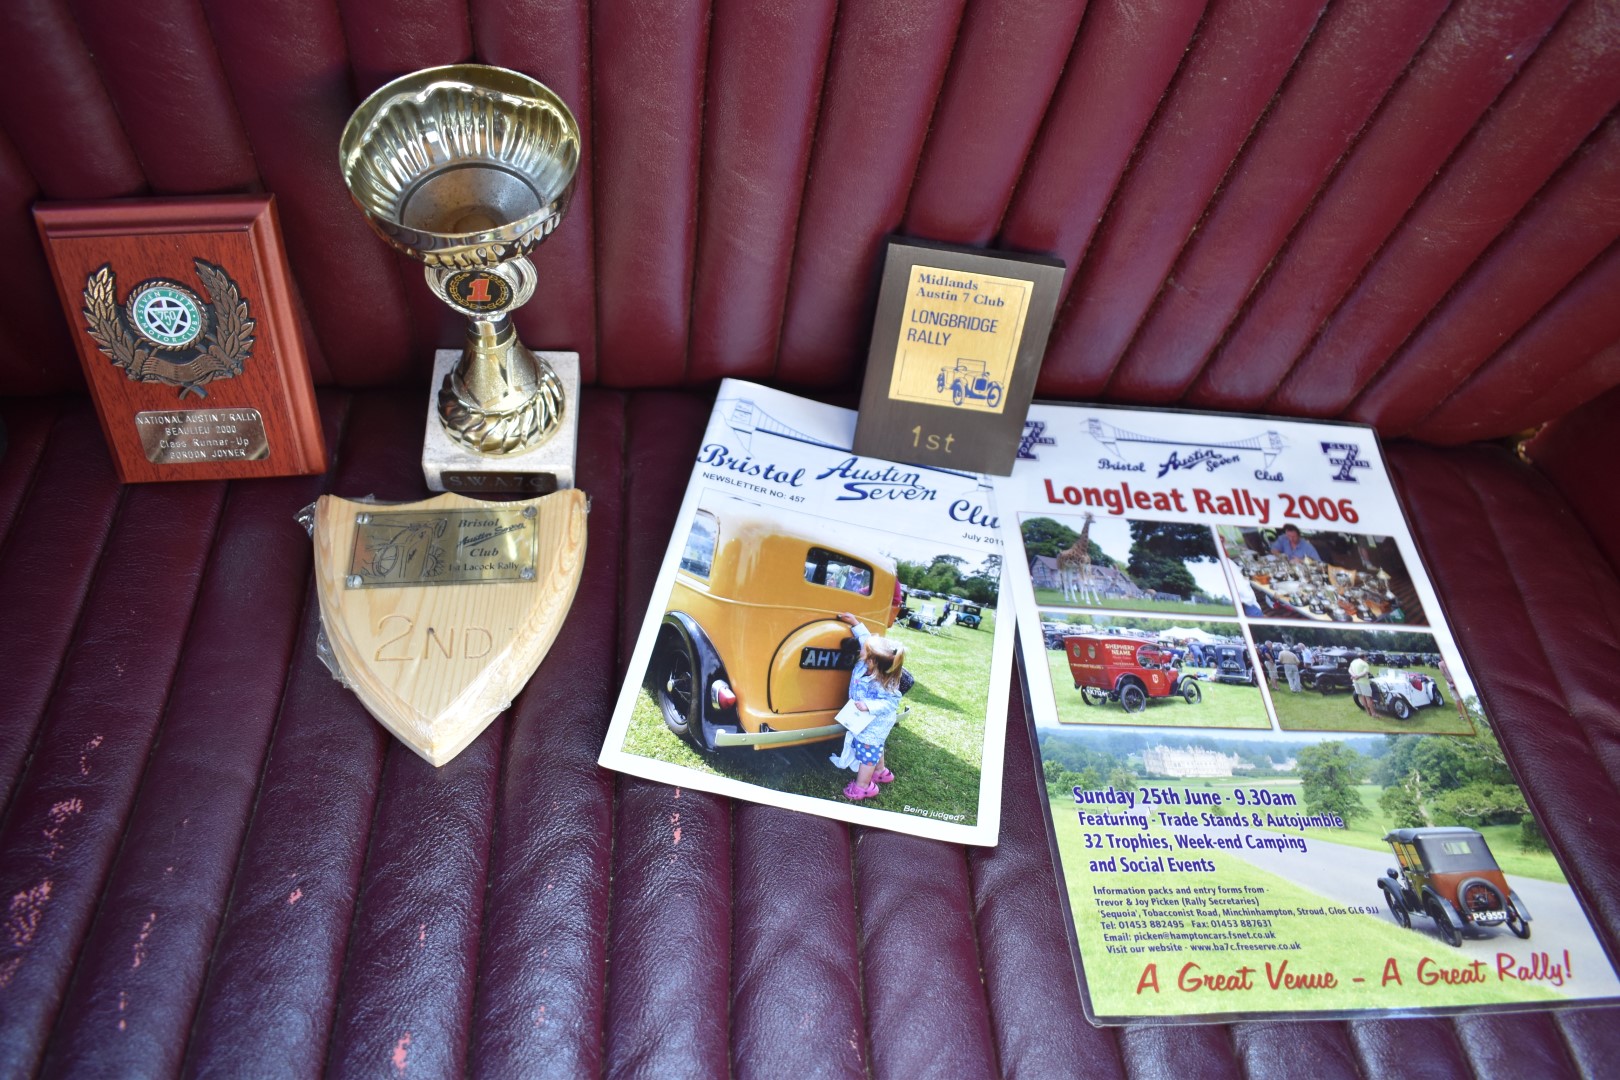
1449 877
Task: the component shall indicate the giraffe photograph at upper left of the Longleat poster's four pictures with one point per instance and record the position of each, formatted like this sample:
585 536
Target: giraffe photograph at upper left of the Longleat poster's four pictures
1122 564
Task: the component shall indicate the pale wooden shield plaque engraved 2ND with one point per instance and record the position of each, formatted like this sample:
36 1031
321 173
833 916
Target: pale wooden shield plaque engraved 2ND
440 611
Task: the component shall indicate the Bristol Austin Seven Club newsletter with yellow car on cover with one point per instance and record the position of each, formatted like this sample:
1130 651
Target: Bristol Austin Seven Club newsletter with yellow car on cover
825 631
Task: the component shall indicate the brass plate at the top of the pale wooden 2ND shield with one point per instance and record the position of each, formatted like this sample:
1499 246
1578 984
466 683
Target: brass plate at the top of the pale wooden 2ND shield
443 548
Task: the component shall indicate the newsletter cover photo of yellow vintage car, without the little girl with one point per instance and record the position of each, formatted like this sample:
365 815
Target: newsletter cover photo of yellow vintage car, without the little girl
752 665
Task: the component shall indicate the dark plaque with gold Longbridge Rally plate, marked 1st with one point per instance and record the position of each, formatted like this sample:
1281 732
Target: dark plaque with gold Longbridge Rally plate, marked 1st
955 352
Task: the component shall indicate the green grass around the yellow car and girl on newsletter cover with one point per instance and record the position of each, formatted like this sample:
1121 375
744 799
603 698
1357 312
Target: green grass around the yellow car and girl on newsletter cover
936 752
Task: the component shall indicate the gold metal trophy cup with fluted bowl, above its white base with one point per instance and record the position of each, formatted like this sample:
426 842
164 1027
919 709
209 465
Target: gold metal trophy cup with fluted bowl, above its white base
467 168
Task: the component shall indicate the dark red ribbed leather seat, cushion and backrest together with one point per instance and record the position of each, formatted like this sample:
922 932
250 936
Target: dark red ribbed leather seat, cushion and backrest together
215 862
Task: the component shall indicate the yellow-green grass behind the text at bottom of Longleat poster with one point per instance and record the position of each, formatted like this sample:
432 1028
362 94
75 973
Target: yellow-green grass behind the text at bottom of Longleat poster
1352 946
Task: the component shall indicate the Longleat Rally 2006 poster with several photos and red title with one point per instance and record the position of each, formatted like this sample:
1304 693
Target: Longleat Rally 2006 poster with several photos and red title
1273 786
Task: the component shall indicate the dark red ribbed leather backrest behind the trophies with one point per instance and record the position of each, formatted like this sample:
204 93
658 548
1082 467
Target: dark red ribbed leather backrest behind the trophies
1396 213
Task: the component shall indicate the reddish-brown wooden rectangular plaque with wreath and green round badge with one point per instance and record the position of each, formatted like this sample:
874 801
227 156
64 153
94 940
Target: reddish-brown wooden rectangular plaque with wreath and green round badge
184 318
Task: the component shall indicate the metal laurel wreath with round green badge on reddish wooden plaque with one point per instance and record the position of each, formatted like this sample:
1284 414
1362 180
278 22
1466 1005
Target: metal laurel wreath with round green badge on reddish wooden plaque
163 318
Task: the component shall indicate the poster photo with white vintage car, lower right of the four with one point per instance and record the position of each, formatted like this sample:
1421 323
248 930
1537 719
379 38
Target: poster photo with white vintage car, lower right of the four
1410 691
